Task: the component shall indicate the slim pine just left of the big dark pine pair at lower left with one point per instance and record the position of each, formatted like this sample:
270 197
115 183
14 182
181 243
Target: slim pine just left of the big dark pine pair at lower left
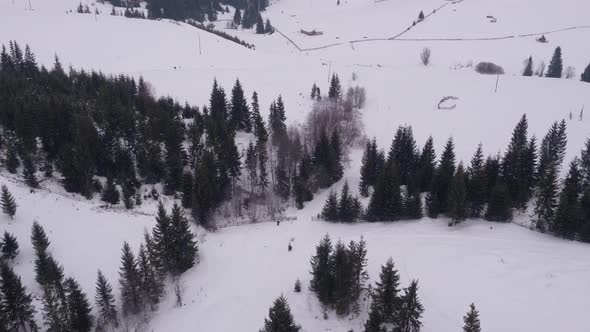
130 283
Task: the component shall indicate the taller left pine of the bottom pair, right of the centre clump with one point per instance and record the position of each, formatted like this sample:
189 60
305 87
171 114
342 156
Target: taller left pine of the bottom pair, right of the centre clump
385 303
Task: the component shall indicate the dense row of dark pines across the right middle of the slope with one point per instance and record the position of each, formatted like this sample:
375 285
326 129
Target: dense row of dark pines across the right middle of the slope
491 187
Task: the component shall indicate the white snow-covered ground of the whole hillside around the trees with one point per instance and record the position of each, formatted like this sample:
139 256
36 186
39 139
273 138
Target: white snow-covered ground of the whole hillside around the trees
519 279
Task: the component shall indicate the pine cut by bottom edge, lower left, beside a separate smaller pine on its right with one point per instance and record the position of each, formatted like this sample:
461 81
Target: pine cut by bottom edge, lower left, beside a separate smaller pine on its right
80 318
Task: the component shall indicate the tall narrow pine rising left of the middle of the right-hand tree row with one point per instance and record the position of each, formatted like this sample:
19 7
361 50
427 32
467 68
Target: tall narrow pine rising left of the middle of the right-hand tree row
438 198
